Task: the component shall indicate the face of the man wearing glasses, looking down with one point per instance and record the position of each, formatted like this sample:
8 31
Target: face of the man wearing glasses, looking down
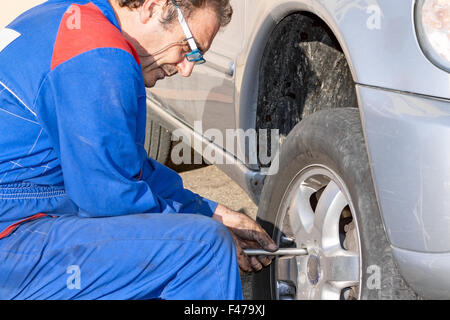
161 48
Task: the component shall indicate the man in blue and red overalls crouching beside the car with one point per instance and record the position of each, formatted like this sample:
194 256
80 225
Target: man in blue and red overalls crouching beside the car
84 213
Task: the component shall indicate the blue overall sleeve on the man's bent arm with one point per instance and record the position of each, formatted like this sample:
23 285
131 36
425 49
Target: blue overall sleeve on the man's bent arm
89 107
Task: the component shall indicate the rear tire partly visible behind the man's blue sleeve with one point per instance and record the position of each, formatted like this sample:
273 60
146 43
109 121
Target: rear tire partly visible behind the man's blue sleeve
158 141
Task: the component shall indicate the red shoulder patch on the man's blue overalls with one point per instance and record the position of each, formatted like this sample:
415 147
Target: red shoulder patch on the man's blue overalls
84 28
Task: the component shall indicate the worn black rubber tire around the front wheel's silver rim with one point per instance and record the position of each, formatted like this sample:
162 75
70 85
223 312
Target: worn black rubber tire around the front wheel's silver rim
334 139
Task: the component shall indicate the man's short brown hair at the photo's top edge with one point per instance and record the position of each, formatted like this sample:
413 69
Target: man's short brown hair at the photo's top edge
222 8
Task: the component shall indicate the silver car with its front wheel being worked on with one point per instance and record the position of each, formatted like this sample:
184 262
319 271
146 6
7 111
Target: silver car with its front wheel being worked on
357 96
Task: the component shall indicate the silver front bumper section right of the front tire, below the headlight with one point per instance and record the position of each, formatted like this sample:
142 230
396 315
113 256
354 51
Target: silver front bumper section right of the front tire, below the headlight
407 137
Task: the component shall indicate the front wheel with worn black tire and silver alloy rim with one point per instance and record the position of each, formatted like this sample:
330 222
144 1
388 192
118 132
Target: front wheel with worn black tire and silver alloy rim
329 146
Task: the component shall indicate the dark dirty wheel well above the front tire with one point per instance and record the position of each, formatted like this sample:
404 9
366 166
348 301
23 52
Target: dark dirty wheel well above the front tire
303 70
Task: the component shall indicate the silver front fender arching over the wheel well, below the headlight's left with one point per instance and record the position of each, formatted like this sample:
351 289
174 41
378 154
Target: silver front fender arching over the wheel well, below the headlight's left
381 57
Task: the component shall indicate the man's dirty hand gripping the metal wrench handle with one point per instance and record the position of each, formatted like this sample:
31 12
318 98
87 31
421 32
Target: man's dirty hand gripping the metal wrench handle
247 234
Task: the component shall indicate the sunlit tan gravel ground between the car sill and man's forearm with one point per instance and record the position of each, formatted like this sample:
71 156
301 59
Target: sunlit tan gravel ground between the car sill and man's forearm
211 183
